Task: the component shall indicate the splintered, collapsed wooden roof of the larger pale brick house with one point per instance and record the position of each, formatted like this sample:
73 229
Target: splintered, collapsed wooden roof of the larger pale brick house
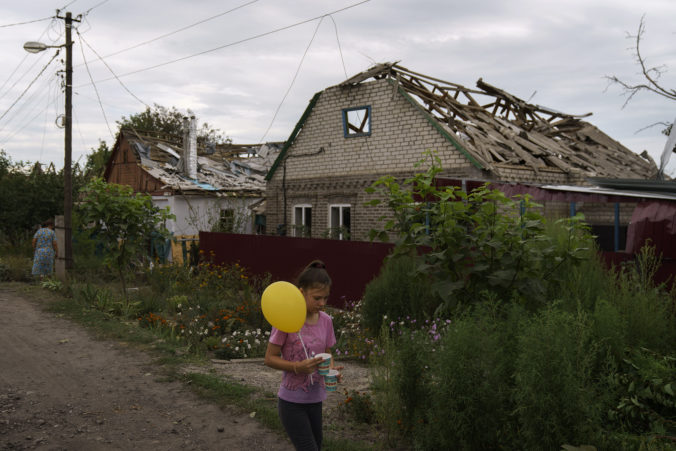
495 128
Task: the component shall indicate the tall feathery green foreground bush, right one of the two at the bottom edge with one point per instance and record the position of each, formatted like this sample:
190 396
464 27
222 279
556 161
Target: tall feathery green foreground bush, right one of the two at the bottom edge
558 399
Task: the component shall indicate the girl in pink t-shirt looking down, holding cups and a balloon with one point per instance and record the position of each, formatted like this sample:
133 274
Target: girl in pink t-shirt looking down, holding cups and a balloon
302 389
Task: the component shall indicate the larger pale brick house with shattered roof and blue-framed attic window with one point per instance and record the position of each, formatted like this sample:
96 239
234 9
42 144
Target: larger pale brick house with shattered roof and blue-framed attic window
382 121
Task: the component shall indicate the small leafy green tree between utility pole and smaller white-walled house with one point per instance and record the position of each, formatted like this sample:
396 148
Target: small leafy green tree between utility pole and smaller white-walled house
122 221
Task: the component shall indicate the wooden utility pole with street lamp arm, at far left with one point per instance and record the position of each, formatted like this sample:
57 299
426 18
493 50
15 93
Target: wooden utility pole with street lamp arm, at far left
35 47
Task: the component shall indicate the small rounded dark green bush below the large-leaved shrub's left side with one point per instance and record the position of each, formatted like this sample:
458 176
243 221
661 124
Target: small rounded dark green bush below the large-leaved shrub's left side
396 293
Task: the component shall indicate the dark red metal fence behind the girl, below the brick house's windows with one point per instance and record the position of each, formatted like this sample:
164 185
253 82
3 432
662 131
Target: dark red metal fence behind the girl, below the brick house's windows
351 264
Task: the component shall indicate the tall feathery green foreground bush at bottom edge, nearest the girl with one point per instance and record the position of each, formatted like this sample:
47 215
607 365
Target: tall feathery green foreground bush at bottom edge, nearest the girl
469 386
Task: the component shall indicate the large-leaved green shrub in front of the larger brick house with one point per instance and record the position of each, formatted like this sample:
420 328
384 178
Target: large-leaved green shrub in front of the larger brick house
478 242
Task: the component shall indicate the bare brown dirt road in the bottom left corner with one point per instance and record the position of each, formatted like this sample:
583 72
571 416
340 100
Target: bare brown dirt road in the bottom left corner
62 390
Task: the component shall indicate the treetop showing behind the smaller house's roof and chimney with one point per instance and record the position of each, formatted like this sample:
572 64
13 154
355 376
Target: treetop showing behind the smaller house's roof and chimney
169 121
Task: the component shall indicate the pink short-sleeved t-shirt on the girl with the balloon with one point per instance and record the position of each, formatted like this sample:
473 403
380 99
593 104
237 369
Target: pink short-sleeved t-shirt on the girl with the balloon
300 388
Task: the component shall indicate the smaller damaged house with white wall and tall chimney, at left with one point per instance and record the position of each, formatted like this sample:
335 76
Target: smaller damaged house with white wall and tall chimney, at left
212 188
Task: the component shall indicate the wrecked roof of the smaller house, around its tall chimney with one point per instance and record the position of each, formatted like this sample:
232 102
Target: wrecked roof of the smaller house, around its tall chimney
222 169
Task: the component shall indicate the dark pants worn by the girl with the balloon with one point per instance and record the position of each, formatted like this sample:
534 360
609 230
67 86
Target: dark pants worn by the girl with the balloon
303 424
